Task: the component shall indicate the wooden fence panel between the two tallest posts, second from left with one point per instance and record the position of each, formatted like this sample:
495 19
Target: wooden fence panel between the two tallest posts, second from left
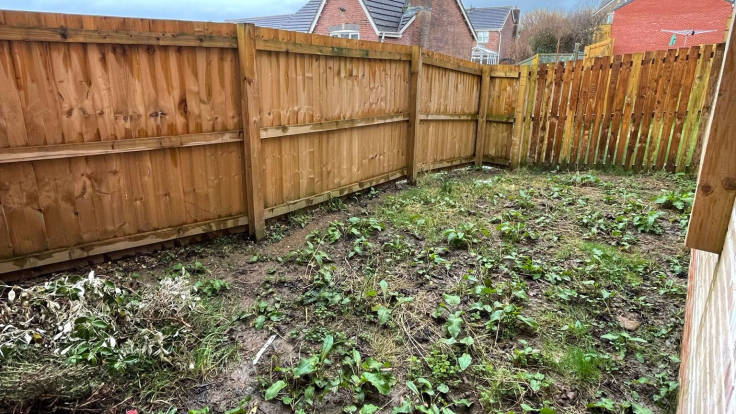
330 123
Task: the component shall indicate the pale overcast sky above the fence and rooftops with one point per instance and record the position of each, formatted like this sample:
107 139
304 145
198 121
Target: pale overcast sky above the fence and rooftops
215 10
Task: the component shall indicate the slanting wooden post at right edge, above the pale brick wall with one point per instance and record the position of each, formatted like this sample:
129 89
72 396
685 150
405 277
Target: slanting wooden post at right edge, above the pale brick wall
714 196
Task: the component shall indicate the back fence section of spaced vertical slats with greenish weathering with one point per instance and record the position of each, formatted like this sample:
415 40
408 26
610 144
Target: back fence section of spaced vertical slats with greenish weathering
643 111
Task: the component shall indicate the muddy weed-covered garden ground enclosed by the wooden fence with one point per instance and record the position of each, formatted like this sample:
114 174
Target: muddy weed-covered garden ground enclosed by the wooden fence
474 291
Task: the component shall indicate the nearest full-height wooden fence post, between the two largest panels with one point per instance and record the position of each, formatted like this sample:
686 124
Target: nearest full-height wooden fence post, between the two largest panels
251 122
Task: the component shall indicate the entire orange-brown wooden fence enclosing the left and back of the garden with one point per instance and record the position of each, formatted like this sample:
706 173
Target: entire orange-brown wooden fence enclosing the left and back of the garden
118 133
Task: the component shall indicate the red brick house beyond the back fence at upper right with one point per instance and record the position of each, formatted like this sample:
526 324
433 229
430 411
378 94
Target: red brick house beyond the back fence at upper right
642 25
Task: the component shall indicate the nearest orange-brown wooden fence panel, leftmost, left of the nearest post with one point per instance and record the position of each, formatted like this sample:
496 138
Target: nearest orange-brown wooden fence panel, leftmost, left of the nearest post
111 145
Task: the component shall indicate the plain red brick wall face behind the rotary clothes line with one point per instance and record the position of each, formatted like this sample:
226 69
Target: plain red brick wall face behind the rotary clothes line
637 26
